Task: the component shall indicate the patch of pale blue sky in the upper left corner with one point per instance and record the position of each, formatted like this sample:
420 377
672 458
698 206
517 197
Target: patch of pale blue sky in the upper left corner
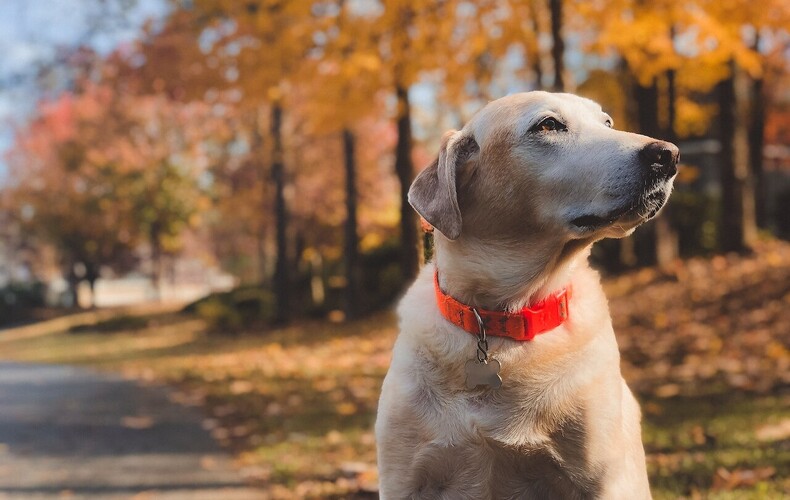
32 31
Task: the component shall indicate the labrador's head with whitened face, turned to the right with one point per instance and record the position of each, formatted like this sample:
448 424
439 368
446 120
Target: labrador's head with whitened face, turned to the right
542 163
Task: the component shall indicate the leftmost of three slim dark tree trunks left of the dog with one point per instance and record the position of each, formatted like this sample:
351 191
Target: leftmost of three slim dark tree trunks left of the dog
281 278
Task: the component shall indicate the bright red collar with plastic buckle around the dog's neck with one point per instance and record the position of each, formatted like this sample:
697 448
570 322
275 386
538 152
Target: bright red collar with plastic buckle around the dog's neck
546 315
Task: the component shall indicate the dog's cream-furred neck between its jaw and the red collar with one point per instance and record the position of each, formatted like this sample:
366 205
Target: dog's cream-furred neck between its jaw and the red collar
505 276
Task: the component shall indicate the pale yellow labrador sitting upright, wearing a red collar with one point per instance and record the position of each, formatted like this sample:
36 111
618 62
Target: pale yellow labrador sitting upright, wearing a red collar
505 379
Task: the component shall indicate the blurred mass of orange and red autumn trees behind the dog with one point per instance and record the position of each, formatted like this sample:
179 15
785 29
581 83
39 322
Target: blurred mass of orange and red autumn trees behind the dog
282 136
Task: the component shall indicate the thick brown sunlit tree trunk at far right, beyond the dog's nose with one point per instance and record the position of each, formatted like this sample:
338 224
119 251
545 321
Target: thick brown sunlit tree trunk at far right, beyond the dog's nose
737 197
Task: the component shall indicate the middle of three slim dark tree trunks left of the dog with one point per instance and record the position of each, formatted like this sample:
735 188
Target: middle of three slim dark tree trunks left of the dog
351 253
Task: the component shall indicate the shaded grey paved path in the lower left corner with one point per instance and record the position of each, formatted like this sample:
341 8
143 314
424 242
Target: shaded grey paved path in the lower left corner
71 433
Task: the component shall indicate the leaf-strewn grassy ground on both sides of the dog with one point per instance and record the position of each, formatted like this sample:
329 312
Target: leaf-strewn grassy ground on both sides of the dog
704 347
